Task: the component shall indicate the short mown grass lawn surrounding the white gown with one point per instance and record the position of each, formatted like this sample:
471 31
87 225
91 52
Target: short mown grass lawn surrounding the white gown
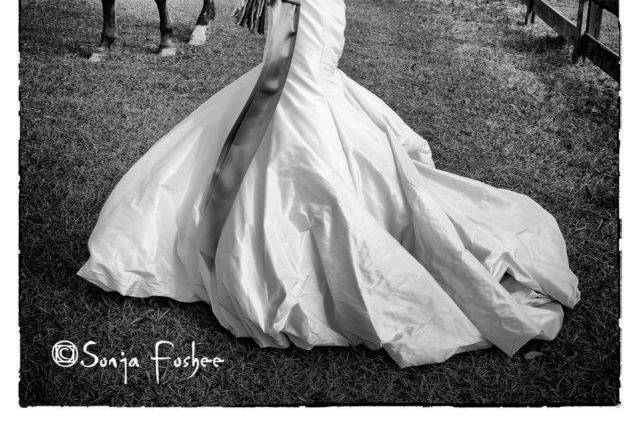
498 102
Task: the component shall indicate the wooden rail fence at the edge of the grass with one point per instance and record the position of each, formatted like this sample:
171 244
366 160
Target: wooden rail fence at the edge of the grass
582 34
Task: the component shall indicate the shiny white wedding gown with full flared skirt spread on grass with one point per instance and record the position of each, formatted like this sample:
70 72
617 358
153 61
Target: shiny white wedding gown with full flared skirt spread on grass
342 230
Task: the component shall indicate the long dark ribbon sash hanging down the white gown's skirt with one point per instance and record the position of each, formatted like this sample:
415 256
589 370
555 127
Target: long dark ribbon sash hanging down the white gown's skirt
248 131
